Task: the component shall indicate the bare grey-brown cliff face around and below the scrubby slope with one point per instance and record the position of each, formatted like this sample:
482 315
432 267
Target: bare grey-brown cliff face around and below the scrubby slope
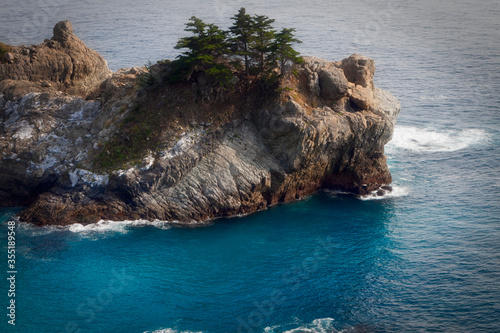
325 129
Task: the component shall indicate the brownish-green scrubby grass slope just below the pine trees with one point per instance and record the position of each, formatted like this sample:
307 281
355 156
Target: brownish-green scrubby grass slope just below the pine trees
165 113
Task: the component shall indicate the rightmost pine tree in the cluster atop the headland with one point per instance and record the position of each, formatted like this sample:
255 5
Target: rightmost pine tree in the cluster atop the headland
282 51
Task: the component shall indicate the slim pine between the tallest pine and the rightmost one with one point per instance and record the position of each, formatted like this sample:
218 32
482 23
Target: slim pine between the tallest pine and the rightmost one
264 35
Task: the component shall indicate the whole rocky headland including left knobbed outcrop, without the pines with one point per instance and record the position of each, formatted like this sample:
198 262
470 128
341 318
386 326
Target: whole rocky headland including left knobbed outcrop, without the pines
79 143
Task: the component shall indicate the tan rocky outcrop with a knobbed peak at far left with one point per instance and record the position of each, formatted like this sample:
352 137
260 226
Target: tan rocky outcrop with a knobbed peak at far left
63 63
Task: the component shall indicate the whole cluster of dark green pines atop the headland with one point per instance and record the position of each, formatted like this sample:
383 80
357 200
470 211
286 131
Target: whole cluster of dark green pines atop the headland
251 39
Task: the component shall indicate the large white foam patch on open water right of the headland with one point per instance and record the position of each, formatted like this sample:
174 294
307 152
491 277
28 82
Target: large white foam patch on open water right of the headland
432 140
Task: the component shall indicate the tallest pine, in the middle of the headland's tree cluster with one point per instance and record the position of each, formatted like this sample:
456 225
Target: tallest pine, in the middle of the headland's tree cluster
242 30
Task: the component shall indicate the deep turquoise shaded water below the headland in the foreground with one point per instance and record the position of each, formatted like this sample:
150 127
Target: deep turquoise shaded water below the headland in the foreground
327 256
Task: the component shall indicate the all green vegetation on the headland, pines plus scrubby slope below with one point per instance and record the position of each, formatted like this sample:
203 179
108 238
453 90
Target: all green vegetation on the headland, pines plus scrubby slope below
215 79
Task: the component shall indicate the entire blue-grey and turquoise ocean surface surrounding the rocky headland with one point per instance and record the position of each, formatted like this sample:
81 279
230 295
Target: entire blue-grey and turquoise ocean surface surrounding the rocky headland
424 259
